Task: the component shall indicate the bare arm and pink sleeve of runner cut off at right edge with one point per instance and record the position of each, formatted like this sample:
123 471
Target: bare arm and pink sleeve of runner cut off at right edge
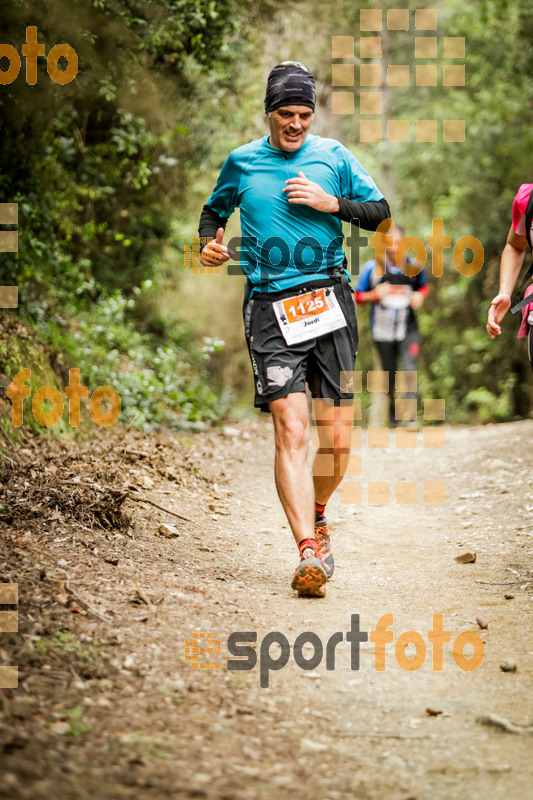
511 260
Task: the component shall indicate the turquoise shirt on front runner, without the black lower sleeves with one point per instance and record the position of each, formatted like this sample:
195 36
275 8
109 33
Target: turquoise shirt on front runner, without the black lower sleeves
285 243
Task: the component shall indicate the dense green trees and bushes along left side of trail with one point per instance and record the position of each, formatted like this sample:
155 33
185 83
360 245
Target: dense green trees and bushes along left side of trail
100 168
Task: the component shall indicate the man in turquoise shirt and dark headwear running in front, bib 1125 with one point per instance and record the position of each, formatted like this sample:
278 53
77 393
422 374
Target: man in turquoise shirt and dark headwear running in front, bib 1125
293 190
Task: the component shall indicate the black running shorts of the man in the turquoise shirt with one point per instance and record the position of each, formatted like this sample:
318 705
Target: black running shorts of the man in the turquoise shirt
279 368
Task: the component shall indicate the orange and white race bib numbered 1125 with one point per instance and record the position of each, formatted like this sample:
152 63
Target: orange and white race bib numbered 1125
306 316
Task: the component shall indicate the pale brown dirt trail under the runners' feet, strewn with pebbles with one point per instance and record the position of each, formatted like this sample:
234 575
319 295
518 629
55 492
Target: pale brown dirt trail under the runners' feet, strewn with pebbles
112 709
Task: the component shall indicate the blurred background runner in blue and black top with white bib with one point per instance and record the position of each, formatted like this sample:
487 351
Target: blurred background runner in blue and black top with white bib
394 296
